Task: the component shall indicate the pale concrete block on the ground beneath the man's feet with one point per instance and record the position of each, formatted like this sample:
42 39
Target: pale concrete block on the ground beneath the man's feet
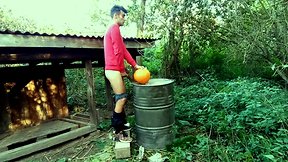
122 150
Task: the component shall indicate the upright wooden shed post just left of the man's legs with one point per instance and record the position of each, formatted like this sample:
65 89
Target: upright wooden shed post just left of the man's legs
94 113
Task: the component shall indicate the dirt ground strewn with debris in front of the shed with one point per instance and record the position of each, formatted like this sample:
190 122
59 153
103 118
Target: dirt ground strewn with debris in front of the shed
97 147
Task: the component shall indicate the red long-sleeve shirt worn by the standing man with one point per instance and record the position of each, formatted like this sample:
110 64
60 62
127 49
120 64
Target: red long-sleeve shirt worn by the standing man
115 50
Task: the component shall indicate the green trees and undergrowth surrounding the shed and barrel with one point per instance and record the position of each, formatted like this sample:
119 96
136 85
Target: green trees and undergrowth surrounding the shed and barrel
229 60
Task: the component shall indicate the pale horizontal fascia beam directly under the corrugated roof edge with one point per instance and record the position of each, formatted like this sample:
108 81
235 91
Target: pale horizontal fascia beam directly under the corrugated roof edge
26 40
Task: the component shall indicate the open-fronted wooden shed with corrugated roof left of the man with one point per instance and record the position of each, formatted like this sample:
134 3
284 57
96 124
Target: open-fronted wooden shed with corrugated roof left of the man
33 101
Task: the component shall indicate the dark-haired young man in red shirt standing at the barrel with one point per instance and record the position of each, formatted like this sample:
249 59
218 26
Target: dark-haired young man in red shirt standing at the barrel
115 52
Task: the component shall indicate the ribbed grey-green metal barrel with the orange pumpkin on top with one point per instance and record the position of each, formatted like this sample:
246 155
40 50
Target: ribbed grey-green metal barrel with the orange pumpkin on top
154 113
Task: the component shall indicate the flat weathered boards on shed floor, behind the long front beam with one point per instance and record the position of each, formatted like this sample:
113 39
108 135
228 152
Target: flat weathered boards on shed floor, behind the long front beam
40 132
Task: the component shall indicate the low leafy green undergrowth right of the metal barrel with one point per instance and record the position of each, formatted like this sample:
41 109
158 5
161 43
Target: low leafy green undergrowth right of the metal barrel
238 120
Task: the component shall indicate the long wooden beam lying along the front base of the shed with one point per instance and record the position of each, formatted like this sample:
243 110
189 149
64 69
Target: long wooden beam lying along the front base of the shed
45 143
